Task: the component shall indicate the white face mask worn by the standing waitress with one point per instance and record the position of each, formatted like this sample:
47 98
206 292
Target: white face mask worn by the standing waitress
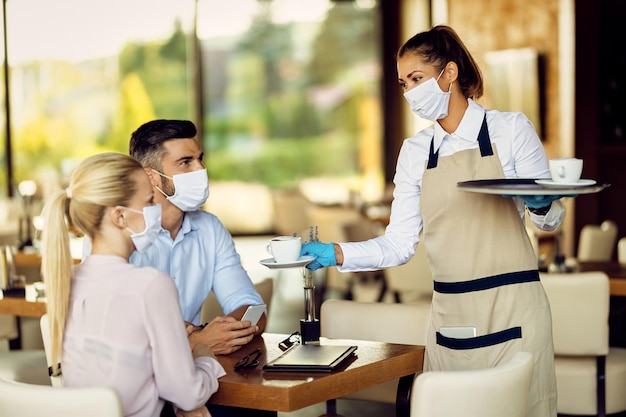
428 101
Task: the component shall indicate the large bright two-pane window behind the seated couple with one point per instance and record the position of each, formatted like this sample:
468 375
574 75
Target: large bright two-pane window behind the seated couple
288 89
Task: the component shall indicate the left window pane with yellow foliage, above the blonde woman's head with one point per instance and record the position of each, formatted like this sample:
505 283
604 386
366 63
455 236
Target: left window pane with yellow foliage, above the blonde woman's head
84 74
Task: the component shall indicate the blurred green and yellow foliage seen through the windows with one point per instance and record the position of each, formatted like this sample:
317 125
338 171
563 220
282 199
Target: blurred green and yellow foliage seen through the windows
261 123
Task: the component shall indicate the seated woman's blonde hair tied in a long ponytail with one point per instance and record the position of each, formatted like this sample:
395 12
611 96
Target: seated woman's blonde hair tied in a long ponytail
101 181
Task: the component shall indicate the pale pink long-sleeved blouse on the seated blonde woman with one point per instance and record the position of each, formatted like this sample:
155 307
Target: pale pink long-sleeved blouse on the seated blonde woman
125 329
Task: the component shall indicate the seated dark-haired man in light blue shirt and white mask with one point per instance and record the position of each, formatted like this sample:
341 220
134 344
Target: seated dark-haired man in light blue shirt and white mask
193 247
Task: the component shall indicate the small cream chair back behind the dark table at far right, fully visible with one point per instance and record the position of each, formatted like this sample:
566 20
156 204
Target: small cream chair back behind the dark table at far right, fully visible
597 243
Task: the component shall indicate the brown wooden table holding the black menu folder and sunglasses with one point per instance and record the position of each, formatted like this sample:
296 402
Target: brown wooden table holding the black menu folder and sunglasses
285 392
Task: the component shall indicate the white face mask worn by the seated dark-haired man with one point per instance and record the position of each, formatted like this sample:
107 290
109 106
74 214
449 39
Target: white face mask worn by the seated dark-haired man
191 189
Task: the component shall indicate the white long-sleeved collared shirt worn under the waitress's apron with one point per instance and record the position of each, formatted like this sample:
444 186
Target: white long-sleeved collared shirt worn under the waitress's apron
521 154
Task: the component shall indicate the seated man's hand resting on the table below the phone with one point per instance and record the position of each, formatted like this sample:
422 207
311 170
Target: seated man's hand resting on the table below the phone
223 335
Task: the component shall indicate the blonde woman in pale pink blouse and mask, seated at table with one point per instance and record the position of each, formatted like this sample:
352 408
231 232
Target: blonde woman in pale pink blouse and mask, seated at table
113 323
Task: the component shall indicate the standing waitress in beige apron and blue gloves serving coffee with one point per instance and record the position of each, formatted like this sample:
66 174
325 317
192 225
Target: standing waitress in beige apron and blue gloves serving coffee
483 264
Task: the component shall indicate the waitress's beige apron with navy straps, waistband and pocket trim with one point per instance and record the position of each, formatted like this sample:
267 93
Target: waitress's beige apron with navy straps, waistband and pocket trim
485 273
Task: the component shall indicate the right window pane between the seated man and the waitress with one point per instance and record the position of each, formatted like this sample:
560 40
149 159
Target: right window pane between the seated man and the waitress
292 90
